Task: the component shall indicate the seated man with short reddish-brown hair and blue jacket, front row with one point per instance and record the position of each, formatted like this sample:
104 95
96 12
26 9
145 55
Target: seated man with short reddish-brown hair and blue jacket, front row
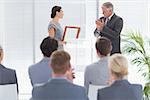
59 88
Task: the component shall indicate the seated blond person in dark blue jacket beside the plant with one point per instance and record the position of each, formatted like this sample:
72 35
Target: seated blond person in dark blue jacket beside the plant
120 88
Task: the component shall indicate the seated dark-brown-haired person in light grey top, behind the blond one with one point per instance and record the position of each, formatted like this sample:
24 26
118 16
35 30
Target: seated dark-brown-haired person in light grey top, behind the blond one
98 72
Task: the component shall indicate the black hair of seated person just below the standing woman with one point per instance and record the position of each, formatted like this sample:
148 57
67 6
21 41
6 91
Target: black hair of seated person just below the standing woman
48 46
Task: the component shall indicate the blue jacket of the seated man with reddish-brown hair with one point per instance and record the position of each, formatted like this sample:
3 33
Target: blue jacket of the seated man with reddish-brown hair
59 89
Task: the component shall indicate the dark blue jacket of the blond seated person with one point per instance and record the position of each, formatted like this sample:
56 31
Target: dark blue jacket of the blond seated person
121 90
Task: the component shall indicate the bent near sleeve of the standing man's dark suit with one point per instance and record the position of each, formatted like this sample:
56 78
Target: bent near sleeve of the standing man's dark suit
107 32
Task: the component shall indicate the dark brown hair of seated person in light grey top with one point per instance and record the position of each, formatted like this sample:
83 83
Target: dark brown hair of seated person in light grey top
103 46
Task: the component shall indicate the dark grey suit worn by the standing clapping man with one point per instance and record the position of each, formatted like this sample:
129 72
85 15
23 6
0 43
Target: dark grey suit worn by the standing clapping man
112 31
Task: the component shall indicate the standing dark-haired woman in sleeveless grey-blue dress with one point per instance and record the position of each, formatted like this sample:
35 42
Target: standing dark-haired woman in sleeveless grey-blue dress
54 28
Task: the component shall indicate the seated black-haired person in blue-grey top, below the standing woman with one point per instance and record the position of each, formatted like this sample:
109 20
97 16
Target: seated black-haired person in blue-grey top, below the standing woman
41 72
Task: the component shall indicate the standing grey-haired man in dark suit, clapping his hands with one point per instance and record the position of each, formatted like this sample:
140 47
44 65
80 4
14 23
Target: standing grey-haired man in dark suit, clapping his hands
110 26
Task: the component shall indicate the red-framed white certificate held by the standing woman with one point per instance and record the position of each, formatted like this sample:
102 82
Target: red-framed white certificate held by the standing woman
71 32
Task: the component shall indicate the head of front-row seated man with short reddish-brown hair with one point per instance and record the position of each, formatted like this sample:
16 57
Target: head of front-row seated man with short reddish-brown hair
60 62
